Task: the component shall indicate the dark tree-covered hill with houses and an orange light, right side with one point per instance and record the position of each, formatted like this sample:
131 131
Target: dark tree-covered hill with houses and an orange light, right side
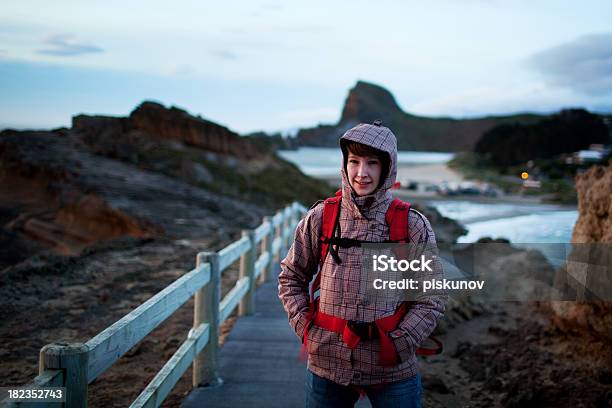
543 152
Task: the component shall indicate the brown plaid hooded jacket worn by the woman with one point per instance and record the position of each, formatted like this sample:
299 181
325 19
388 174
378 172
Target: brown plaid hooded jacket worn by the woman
341 294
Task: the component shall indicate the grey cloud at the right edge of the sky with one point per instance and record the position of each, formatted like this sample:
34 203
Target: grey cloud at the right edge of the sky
584 65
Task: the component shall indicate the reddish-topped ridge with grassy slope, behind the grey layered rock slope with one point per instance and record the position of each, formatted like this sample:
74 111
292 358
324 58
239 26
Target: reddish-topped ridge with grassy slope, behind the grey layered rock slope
172 142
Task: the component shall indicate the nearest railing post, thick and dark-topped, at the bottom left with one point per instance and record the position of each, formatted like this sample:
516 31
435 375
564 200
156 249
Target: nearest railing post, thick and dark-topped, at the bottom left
72 359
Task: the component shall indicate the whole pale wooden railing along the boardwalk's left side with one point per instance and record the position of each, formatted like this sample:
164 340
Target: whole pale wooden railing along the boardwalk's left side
76 365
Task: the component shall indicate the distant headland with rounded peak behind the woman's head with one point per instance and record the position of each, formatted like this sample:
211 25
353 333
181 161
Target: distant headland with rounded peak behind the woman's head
367 102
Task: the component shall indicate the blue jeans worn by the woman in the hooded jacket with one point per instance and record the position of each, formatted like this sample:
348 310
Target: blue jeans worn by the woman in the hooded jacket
323 393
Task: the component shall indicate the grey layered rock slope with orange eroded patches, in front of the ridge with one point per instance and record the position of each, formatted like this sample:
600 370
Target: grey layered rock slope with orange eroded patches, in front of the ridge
57 196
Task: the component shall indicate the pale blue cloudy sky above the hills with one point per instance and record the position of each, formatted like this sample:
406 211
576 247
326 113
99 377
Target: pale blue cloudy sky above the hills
276 66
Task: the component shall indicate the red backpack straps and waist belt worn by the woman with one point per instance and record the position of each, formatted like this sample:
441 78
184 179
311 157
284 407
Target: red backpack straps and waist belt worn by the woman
397 220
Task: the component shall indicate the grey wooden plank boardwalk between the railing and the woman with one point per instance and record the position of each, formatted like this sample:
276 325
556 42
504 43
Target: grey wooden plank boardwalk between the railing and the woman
259 362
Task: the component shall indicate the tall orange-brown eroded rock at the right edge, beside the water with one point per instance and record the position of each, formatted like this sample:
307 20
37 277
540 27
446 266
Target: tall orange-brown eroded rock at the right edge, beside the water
593 234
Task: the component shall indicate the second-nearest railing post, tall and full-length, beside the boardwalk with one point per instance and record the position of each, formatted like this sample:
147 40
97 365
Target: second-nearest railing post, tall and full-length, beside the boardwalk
206 310
